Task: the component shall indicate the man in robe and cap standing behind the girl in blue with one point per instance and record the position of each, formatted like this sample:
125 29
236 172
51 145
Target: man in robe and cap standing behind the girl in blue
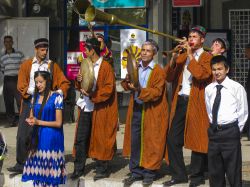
26 86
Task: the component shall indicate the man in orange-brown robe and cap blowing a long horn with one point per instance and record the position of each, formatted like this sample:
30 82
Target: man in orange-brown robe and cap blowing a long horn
189 72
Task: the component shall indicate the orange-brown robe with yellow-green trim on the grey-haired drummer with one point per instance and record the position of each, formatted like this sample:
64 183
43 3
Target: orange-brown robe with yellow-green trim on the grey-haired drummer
155 123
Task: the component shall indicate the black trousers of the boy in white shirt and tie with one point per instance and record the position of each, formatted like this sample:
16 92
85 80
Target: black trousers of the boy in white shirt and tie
224 157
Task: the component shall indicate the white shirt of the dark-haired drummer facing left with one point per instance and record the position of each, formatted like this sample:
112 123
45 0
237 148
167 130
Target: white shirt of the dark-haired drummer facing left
85 102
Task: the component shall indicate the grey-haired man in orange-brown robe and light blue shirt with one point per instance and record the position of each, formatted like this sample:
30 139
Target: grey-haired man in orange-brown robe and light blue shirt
147 118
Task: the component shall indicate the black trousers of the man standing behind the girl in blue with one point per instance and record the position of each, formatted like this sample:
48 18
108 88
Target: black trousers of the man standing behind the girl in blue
24 132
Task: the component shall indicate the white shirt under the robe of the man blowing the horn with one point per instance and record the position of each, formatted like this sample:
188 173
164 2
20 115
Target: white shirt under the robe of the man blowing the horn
187 76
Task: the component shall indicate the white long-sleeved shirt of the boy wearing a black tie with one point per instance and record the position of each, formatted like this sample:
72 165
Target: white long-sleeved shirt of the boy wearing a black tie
233 105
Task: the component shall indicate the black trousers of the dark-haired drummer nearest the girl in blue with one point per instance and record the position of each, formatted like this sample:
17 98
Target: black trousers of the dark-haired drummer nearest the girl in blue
82 140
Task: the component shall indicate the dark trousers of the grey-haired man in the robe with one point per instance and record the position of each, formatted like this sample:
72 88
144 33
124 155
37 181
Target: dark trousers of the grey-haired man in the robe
134 162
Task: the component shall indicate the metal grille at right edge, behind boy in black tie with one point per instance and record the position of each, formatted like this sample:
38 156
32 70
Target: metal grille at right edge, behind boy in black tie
239 23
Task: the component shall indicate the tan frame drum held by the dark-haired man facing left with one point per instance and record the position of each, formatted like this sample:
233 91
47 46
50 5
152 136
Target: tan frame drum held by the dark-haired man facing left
88 76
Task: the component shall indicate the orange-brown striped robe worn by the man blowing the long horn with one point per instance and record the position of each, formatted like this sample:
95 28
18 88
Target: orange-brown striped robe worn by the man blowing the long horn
196 125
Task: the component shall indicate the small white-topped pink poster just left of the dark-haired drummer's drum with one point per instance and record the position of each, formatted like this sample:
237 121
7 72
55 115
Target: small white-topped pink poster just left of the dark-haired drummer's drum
72 65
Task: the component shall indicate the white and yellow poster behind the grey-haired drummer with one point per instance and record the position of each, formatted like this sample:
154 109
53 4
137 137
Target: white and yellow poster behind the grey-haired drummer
133 39
